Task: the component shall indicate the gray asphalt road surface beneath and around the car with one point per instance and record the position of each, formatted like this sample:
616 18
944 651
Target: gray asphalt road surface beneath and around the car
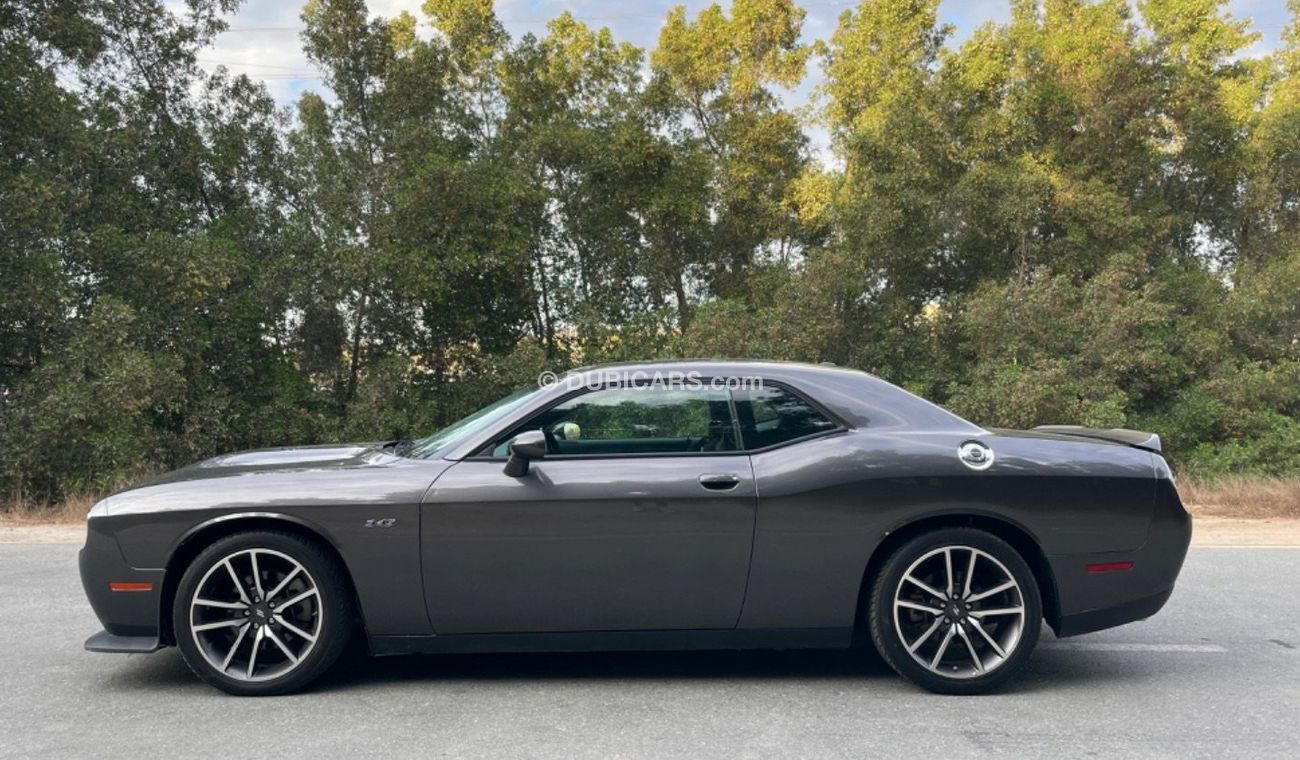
1216 675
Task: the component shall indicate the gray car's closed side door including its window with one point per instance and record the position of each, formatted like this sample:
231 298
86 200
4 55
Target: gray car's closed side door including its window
640 518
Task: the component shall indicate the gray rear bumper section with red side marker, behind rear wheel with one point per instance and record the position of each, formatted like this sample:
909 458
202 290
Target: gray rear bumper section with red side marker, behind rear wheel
1097 601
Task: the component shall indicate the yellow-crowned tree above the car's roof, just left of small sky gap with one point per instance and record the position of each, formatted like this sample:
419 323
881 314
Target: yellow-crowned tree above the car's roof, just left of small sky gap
714 76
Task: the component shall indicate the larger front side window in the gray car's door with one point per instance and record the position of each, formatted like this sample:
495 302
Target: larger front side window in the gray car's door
636 420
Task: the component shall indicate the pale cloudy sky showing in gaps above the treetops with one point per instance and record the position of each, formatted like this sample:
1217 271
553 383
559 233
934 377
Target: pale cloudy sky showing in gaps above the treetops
265 44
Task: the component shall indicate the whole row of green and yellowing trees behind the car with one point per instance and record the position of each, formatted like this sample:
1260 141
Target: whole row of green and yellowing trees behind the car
1087 215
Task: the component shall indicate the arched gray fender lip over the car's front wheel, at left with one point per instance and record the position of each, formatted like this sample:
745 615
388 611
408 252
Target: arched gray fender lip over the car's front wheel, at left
207 533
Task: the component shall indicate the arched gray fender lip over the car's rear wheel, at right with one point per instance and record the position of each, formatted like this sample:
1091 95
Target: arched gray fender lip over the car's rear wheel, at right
1021 540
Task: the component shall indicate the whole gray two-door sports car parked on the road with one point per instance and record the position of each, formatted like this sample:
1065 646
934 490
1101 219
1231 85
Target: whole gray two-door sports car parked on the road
699 505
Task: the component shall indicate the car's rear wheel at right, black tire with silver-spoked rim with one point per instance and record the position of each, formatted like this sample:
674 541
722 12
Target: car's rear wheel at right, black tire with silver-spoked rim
985 670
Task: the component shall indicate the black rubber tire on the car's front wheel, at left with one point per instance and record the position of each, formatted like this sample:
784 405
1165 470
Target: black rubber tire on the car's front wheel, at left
331 611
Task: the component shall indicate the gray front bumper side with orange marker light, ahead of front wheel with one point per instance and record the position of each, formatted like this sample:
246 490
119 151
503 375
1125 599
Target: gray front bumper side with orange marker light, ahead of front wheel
133 613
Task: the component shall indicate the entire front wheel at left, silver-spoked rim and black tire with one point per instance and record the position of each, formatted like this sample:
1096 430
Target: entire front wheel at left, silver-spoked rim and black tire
262 614
